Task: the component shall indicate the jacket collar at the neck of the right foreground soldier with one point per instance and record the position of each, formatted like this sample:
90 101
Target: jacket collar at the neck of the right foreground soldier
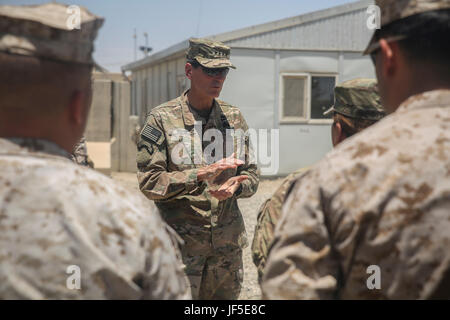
429 99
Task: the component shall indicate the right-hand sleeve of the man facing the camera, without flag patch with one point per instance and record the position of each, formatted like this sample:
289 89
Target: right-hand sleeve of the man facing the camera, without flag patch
250 168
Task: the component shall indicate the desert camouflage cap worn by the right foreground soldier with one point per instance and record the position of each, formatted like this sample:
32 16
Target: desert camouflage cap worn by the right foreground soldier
393 10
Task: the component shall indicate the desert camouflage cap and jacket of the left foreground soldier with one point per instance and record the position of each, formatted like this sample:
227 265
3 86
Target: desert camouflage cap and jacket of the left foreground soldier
58 218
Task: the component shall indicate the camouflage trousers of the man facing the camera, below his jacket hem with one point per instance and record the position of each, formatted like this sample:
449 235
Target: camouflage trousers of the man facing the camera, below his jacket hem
217 275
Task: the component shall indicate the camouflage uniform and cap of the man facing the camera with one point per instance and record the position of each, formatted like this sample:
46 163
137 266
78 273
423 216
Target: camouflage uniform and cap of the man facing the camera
213 230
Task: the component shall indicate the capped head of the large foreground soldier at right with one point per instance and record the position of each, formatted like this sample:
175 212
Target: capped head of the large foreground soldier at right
411 50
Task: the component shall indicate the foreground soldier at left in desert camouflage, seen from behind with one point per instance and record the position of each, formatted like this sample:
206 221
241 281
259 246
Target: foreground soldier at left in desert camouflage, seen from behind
67 232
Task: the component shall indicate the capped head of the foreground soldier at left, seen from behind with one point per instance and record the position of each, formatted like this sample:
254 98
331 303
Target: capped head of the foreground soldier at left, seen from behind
46 64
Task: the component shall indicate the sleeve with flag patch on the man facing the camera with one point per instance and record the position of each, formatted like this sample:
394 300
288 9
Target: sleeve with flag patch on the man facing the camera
155 181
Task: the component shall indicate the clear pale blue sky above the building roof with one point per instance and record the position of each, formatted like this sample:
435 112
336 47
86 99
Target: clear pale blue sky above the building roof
169 22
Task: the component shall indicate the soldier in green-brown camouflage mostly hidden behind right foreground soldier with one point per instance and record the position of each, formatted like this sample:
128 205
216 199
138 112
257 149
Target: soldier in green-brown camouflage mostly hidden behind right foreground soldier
357 106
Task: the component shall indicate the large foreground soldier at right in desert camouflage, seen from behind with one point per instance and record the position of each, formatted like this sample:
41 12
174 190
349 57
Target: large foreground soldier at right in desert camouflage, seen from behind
372 220
